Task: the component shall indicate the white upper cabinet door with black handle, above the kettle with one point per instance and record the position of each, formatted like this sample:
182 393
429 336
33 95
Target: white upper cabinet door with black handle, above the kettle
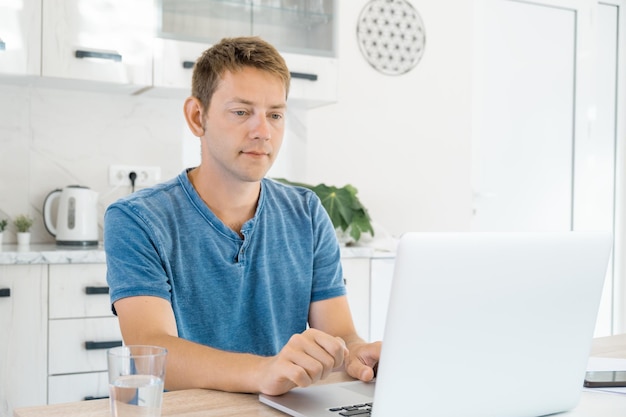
99 40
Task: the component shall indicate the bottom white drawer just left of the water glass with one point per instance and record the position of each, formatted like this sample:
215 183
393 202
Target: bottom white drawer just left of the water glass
78 387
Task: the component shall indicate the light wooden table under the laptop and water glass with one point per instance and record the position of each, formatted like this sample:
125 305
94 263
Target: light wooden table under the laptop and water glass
207 403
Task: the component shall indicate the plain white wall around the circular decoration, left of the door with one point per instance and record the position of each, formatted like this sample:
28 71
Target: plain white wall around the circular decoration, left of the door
403 141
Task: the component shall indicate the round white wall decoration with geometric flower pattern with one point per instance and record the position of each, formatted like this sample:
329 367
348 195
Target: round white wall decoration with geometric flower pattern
391 36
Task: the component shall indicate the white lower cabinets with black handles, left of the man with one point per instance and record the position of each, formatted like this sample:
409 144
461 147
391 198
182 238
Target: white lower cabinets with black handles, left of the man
56 323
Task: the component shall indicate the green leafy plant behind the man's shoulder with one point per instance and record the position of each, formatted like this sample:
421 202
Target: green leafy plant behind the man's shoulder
343 206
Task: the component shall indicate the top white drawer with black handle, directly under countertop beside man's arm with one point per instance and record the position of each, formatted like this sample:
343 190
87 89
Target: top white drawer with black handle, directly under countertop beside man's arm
79 290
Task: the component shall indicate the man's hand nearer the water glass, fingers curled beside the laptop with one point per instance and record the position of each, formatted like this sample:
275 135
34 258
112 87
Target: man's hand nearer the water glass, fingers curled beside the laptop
307 358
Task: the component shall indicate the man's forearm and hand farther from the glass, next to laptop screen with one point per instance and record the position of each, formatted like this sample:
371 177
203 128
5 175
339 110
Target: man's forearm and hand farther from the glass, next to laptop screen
333 316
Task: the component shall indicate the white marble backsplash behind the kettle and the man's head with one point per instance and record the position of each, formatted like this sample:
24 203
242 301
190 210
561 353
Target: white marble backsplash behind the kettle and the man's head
51 138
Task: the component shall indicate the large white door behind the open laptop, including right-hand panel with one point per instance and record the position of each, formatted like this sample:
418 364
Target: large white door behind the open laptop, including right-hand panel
545 120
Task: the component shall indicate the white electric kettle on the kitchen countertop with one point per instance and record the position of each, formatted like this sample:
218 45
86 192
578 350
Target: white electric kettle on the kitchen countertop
77 216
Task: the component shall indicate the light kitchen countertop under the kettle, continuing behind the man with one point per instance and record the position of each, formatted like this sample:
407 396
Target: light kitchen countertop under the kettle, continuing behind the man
50 253
